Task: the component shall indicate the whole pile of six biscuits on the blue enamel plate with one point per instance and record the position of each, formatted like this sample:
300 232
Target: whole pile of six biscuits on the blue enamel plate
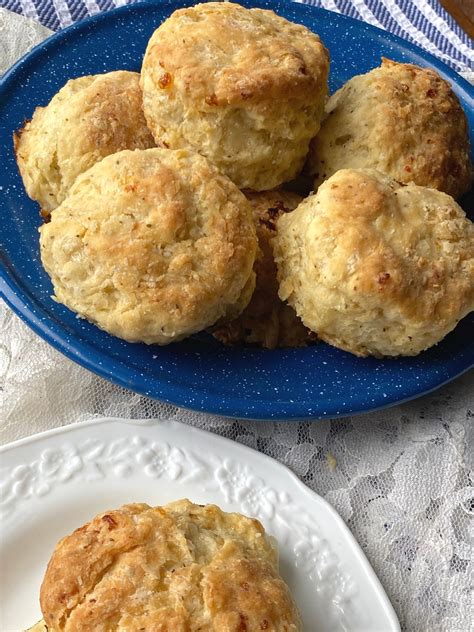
170 202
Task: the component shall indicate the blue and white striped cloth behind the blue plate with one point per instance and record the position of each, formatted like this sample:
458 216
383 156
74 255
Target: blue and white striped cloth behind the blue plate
423 22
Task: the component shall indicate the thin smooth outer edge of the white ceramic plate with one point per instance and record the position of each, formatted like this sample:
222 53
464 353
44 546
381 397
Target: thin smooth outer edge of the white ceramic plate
177 427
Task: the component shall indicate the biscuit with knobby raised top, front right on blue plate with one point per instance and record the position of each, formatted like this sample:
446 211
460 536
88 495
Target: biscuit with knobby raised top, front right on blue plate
375 267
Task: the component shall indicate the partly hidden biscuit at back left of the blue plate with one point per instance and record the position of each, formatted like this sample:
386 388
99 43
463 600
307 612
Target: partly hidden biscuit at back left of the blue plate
89 118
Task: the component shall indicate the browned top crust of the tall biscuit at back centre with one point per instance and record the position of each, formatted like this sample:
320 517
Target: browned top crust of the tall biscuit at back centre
282 58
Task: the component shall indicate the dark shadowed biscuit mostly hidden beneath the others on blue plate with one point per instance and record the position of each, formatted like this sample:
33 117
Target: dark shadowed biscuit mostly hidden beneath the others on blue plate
267 321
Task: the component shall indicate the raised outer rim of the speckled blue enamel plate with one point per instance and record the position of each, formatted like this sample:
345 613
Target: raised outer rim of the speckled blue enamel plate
92 358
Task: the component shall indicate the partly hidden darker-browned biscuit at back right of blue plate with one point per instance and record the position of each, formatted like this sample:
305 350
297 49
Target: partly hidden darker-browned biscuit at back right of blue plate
400 119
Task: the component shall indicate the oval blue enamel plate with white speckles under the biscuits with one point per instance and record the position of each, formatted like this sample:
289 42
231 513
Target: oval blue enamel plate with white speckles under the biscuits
200 373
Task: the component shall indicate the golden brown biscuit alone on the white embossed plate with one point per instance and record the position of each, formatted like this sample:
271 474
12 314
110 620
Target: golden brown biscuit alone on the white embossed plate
165 569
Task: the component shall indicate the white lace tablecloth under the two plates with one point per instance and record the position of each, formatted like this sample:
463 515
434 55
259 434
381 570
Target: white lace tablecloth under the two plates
402 478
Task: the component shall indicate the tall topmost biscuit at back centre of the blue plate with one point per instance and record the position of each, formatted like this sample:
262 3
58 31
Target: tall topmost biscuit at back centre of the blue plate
245 88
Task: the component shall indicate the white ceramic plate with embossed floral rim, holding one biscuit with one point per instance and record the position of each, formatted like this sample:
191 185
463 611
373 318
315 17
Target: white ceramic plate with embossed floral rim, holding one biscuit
54 482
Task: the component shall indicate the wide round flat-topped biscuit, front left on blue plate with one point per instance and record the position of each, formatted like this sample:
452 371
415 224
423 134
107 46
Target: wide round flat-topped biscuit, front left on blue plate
151 245
